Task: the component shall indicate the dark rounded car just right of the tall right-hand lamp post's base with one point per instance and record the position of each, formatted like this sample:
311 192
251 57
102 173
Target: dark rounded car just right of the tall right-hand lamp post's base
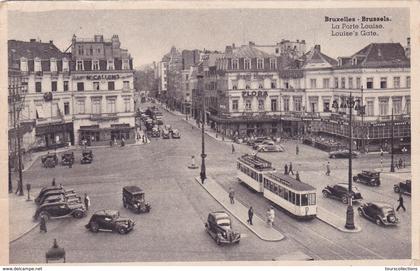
380 212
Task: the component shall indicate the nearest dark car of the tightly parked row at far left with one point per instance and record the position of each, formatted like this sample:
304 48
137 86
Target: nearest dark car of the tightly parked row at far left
60 209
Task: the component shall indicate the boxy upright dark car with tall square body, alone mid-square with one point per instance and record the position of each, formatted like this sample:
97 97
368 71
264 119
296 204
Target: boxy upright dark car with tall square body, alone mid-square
133 198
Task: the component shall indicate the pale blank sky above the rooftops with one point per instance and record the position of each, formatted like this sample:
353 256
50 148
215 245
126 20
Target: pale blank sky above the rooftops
149 34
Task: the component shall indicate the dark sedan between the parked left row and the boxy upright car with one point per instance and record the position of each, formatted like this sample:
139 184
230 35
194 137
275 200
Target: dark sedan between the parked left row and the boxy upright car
109 220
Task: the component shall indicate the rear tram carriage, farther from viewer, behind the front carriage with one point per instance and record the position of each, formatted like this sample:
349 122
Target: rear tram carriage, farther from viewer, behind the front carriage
250 169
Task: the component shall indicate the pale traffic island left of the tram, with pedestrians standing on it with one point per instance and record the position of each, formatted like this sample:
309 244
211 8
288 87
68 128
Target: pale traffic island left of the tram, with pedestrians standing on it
240 211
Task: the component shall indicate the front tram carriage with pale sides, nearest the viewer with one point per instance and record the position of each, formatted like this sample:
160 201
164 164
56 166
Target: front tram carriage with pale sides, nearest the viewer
297 198
